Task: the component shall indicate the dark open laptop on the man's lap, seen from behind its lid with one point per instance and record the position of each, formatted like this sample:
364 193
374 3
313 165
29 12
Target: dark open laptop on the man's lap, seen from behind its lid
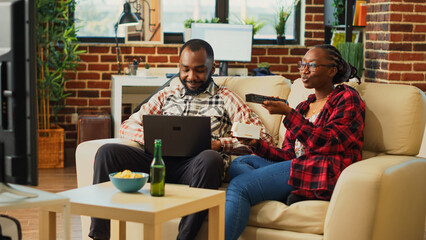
181 136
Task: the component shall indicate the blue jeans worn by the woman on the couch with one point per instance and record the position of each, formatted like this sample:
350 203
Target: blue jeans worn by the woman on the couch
254 179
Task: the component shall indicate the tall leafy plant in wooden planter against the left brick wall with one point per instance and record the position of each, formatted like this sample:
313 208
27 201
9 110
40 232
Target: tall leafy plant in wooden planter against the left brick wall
57 54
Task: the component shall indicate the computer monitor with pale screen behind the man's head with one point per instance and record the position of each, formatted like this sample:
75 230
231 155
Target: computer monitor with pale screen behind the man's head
230 42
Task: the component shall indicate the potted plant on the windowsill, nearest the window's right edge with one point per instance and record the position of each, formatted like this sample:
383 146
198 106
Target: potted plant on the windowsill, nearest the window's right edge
284 11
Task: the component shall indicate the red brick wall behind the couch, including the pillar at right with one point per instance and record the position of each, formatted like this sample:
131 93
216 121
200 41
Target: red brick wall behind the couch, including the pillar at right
392 55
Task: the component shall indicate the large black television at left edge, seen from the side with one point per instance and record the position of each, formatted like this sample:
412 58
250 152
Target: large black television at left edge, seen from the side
18 119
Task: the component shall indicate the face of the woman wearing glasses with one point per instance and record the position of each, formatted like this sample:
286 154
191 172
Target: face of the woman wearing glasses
323 75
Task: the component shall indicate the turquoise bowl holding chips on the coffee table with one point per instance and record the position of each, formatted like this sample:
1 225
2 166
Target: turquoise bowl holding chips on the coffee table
129 185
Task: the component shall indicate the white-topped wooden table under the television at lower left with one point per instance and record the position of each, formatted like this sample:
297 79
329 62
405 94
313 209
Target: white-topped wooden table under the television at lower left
49 204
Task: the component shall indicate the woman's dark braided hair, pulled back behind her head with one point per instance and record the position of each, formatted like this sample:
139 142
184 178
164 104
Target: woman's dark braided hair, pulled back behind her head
345 70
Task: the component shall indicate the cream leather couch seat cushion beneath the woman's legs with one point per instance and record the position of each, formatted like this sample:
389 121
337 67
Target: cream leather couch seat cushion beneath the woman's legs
305 216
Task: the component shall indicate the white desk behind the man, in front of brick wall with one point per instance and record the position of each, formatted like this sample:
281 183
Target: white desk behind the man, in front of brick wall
141 88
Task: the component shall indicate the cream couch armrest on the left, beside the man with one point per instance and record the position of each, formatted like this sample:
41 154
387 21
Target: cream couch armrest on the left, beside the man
85 157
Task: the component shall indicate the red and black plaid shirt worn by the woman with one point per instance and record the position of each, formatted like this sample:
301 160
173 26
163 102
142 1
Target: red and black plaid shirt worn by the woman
332 142
